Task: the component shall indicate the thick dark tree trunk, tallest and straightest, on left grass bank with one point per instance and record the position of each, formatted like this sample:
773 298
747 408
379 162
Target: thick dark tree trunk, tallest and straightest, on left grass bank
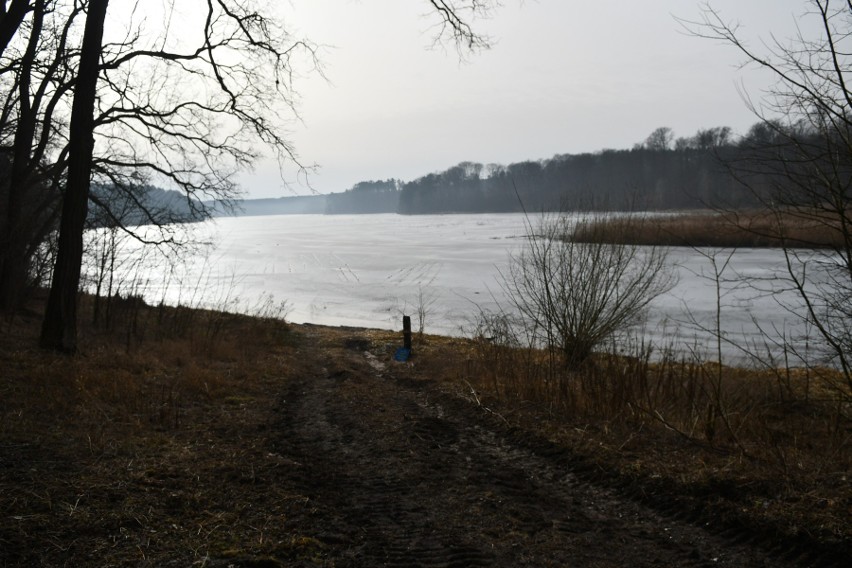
59 329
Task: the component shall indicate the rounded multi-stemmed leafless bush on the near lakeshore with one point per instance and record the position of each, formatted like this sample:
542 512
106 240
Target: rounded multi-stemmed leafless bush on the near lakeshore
580 294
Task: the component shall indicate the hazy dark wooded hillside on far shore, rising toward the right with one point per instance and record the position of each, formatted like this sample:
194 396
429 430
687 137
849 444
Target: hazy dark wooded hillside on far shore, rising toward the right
662 172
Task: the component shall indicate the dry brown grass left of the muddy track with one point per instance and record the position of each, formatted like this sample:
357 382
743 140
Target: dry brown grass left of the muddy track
127 446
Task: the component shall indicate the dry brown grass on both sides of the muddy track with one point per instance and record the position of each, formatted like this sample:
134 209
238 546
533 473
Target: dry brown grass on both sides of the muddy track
153 444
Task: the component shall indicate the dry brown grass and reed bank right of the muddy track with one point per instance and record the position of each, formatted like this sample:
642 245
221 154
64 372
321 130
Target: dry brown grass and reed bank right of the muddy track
773 446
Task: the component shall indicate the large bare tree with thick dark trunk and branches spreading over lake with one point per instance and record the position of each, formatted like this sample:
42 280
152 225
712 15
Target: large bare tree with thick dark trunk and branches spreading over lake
235 81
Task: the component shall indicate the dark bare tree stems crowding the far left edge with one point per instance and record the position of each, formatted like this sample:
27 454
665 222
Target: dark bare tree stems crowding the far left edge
35 71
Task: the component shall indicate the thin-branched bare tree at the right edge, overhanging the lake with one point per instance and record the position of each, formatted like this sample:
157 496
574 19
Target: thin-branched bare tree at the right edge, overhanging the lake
799 159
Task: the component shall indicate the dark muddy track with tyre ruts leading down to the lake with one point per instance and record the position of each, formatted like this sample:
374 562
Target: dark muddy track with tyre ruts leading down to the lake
397 473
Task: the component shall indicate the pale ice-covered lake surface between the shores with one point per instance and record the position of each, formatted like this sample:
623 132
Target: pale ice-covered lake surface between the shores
367 270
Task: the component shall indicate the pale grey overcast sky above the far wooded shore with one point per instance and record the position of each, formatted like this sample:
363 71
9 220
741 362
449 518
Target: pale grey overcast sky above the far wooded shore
563 76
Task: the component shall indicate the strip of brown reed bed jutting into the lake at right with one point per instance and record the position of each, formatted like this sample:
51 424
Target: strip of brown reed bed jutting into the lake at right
718 229
